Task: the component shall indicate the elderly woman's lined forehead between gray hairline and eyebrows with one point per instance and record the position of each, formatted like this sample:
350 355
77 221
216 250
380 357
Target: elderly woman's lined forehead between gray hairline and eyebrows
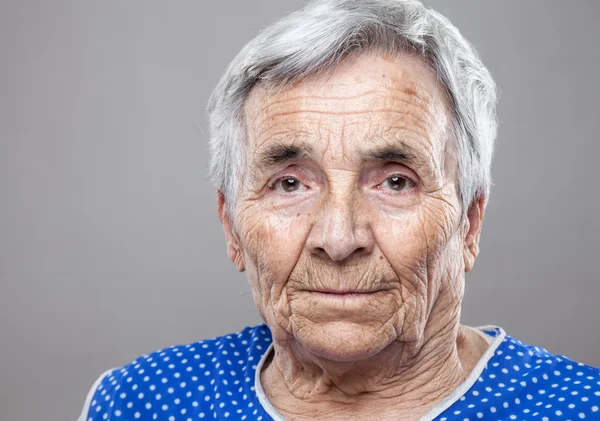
366 101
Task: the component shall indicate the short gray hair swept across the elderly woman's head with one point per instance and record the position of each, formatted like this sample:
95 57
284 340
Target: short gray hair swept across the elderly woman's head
313 40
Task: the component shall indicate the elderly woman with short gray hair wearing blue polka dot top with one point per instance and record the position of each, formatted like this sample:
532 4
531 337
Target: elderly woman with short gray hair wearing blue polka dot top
351 147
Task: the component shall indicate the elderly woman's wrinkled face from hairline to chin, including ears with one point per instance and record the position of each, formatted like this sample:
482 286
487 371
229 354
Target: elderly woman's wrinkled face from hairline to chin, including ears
348 218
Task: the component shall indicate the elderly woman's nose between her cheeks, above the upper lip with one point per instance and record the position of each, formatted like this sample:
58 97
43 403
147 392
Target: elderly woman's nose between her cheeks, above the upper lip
341 229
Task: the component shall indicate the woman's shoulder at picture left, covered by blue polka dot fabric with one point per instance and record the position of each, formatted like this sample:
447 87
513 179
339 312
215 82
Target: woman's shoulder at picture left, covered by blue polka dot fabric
179 379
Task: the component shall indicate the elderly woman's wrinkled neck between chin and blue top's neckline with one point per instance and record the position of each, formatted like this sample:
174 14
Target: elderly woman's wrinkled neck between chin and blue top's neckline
405 378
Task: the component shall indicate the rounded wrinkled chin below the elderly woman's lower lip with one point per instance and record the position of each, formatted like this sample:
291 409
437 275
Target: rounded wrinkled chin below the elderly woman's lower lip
345 341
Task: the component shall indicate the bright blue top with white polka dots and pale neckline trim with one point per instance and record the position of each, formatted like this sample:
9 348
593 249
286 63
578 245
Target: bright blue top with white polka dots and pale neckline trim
217 379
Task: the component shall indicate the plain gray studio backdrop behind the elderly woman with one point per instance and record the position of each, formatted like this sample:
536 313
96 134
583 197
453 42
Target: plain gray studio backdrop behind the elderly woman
109 242
